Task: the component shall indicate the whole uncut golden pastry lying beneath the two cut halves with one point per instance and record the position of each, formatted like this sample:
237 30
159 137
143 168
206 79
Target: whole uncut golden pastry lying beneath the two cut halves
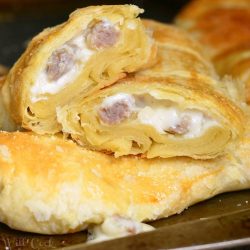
64 188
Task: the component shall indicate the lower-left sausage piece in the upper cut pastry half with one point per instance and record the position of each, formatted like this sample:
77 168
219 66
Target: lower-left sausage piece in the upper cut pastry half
59 63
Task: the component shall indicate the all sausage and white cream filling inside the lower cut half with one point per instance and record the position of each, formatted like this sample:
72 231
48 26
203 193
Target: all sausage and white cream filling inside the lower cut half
163 115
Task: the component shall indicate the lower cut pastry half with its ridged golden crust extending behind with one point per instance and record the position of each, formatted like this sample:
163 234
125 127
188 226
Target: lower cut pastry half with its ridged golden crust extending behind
175 108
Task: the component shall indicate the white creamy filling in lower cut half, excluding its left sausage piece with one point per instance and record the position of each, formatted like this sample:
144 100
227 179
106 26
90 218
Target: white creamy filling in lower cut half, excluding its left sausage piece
164 115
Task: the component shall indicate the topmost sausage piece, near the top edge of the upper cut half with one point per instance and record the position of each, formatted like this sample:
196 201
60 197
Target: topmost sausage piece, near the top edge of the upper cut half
102 35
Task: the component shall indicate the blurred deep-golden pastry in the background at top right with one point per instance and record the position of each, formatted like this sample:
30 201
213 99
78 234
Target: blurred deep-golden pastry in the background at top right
222 26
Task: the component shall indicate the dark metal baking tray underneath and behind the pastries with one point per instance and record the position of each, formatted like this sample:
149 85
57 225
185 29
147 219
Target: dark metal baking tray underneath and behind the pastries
219 223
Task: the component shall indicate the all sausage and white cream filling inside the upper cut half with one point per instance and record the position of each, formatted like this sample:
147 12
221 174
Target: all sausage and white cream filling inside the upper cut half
66 63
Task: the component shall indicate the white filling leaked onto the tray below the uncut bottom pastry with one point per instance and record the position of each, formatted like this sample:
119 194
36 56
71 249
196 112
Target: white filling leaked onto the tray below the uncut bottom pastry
115 227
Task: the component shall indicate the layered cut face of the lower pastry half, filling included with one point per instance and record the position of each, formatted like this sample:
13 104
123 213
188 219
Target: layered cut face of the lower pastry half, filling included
155 118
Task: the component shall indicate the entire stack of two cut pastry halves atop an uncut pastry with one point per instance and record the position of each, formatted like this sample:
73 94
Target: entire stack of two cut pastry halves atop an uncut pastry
88 80
